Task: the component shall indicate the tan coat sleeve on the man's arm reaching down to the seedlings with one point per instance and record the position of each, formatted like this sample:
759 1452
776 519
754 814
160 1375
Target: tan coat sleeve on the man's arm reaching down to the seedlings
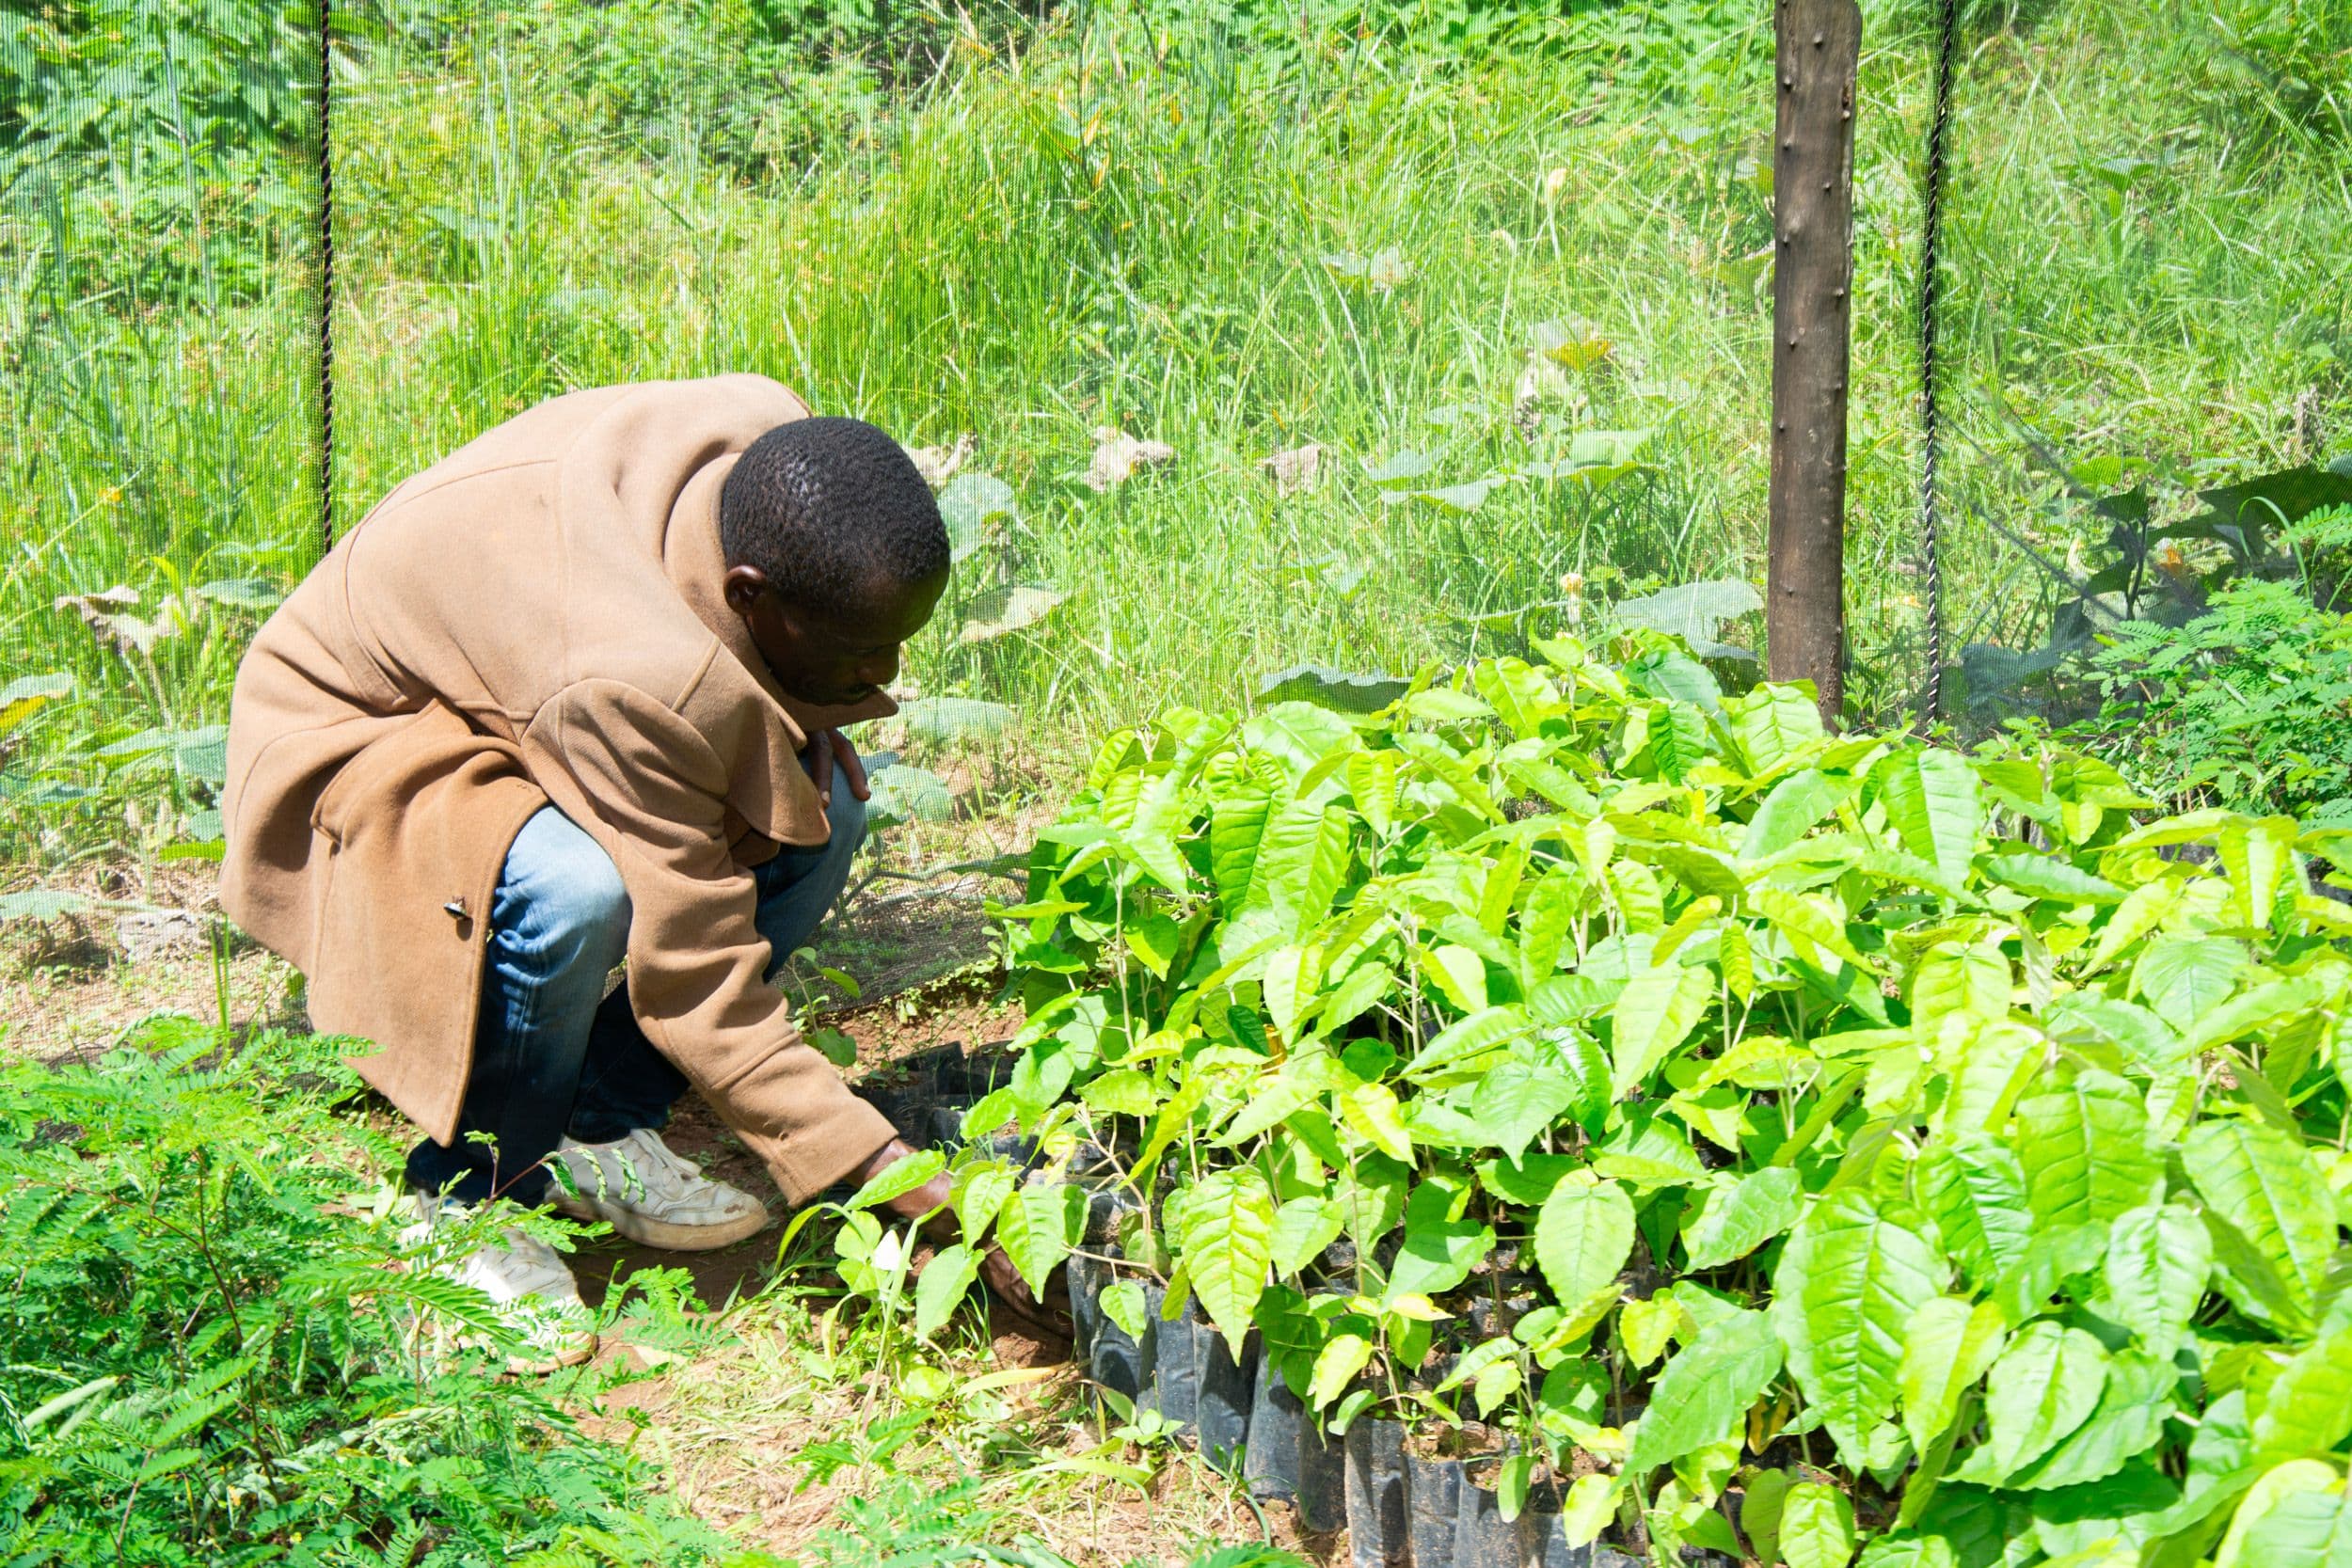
695 958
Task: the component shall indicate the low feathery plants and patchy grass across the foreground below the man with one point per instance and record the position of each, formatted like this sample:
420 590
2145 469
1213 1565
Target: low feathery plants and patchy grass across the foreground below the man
222 1353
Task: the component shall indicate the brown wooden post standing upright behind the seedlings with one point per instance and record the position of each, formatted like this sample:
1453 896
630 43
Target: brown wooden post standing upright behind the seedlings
1805 610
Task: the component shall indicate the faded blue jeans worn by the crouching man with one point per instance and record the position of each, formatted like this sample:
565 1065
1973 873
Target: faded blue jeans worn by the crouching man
554 1054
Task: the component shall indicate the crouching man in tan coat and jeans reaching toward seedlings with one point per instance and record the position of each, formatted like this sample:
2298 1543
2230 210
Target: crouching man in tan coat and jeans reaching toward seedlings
573 697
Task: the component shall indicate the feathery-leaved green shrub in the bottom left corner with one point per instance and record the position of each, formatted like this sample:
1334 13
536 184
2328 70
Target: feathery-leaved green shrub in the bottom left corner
208 1362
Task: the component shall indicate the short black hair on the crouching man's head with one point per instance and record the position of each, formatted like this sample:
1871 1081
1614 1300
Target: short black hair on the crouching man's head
834 514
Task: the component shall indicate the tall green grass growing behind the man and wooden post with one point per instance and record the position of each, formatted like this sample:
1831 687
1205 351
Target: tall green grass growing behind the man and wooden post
1123 217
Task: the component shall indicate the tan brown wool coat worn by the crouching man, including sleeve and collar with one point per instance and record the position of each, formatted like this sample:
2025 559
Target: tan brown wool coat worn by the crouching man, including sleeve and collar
537 619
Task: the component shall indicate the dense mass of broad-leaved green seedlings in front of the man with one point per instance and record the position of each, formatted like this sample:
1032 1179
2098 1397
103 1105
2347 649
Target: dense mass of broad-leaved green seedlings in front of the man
1895 1144
